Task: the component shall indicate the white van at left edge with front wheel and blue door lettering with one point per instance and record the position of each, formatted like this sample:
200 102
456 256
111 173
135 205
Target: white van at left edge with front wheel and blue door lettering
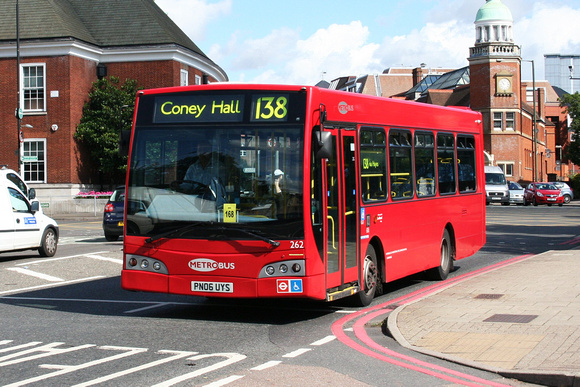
22 225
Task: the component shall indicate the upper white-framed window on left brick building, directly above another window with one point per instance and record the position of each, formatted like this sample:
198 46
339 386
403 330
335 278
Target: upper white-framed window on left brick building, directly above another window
33 85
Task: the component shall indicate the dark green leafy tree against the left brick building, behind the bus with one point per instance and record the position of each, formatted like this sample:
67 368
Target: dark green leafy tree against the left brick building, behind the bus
108 111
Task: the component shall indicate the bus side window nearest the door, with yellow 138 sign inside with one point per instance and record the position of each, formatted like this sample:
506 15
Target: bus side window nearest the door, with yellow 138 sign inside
373 164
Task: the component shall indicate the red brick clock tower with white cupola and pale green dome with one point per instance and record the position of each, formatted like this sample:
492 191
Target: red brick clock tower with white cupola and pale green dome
495 80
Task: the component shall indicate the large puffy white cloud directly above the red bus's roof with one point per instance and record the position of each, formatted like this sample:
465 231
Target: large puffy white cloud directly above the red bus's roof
281 57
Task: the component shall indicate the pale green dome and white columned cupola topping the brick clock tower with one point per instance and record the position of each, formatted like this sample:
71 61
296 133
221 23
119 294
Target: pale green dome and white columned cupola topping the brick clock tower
493 23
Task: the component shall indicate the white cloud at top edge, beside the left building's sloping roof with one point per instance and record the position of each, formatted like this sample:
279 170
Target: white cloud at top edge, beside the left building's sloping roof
194 16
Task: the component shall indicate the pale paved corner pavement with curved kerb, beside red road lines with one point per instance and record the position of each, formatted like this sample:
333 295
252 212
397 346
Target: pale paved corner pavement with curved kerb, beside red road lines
519 319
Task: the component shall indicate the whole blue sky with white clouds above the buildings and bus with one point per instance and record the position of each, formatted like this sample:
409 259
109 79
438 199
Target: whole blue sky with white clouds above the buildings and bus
305 41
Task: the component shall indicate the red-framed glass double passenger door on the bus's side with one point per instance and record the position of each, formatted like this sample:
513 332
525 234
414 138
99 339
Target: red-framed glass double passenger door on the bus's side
341 253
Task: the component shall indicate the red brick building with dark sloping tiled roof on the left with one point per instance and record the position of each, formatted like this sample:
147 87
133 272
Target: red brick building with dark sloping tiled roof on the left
66 45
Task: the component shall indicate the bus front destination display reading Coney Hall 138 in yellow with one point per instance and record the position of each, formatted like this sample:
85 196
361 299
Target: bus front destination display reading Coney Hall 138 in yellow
219 108
